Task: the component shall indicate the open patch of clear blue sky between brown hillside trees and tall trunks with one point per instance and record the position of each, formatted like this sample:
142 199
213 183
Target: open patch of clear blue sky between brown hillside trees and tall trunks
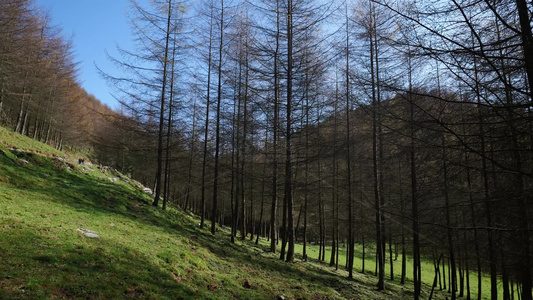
94 26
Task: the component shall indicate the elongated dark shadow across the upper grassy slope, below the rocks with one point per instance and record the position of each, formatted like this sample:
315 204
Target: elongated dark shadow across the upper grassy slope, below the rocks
83 192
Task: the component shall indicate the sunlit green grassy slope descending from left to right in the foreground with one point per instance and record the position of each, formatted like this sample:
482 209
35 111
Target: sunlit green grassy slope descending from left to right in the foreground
143 252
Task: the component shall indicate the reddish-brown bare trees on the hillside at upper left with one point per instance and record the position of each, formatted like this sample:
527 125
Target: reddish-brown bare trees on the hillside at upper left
39 93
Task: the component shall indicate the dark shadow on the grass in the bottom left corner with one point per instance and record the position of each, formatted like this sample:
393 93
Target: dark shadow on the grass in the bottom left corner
32 267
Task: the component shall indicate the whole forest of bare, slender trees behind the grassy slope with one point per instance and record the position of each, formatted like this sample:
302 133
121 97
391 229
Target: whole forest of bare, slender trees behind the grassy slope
405 127
